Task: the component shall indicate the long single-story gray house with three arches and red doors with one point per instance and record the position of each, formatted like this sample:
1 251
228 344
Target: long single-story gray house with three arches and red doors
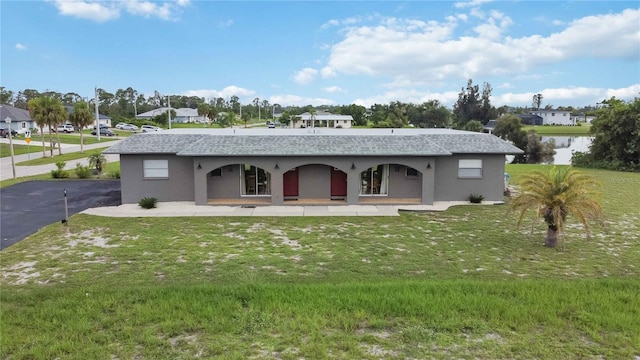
311 166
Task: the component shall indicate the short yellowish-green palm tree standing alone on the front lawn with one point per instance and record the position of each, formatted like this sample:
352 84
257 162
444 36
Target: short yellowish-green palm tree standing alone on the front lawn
553 195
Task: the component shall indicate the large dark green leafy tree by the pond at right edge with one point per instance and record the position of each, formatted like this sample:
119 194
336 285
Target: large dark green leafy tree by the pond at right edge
617 134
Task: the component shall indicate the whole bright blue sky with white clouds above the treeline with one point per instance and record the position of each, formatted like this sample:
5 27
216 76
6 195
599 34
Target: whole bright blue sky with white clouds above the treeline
574 53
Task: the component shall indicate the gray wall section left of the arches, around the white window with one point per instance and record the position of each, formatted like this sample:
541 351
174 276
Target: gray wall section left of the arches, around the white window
178 187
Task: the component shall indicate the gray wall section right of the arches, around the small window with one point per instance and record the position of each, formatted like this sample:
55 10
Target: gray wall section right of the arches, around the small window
449 187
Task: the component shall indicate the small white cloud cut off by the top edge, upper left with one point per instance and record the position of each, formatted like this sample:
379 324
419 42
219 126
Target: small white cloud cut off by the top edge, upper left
101 11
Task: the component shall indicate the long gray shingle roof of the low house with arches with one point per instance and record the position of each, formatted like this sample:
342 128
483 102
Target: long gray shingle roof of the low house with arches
294 142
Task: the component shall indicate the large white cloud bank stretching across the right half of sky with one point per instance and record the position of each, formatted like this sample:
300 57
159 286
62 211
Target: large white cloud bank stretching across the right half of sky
413 52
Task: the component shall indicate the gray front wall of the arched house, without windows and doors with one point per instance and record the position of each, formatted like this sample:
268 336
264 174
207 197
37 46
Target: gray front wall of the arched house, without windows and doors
437 182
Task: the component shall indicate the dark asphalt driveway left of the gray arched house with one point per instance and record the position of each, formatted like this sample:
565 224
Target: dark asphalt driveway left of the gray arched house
29 206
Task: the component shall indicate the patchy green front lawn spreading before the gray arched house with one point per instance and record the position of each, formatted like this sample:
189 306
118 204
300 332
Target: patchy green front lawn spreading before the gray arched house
464 283
